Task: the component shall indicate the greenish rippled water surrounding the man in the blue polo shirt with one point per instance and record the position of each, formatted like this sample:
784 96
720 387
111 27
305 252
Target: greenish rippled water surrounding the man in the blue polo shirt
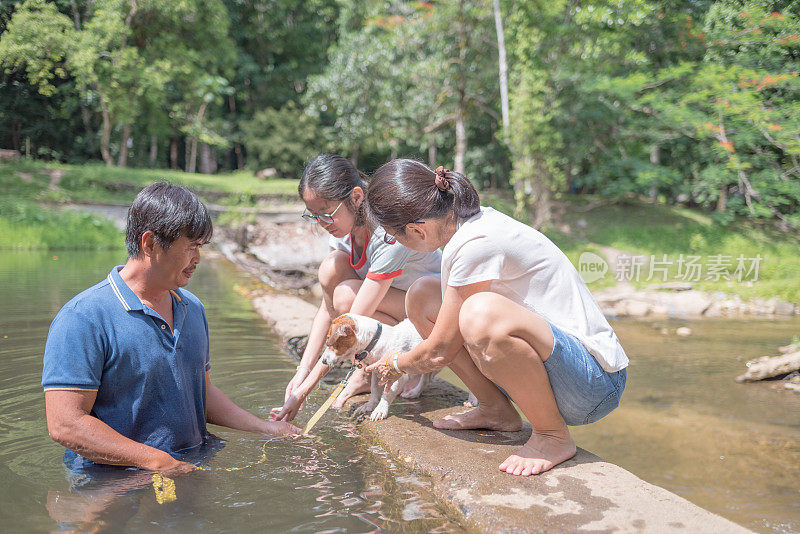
330 482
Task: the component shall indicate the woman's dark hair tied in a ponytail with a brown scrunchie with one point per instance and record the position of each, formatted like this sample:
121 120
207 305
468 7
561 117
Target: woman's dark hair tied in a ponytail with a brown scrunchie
404 190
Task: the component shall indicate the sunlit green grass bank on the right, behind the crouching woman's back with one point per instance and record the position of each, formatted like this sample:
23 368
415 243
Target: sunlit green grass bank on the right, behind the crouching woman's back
586 224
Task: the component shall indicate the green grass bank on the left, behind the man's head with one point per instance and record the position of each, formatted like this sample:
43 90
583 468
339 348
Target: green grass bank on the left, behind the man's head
32 192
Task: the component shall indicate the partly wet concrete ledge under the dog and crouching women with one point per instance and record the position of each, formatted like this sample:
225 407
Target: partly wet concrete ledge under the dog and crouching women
585 493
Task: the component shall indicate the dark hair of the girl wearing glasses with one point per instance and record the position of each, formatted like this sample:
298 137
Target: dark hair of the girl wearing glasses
333 177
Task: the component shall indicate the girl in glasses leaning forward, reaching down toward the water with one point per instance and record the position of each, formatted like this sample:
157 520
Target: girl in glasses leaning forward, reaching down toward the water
362 274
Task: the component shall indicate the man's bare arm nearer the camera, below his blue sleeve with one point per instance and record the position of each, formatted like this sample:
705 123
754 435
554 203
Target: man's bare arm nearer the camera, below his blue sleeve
70 424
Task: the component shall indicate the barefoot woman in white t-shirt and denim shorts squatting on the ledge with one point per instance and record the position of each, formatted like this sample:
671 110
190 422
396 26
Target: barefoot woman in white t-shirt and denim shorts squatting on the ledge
510 310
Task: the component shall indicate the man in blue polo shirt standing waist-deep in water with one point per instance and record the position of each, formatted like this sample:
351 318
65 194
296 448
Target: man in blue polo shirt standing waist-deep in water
126 364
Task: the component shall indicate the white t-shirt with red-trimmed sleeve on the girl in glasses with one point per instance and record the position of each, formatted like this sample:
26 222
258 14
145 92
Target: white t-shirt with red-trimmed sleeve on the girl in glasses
381 261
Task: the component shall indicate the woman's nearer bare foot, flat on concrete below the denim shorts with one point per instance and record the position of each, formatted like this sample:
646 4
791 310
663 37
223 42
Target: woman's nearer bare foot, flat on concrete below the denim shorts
540 453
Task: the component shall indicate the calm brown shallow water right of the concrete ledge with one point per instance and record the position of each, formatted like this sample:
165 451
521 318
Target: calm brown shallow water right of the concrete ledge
687 426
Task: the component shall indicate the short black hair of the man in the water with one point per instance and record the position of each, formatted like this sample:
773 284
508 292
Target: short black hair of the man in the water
169 211
